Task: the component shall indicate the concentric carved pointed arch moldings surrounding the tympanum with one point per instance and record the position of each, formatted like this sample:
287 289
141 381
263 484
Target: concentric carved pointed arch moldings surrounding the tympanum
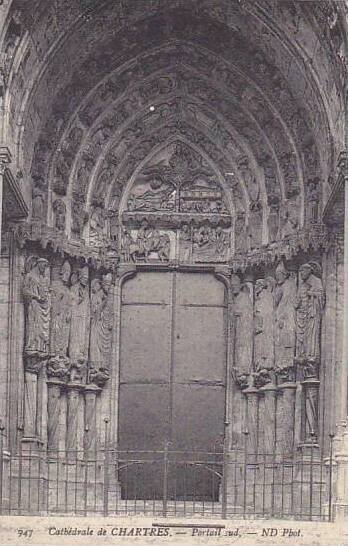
229 97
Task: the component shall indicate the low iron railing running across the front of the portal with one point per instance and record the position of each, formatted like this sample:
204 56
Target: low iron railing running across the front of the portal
170 482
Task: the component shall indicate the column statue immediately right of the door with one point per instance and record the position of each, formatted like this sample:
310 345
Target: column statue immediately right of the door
242 334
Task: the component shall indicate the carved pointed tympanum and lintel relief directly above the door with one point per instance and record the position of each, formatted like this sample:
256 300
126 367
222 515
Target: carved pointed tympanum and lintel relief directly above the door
176 210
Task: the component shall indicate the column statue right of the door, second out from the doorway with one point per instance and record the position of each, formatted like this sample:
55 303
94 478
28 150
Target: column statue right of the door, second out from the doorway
263 329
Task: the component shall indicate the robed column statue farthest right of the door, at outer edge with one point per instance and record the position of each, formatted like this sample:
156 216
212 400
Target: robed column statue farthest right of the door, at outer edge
309 306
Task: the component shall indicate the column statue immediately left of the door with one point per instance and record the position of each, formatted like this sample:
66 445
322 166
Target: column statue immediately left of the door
101 322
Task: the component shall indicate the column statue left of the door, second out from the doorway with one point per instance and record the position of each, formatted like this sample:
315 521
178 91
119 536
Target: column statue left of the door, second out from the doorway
80 319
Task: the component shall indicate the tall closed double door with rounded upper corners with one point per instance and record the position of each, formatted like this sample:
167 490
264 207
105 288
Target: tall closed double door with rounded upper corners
172 385
